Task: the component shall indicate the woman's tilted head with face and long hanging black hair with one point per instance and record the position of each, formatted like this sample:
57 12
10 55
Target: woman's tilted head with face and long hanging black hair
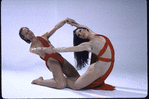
80 36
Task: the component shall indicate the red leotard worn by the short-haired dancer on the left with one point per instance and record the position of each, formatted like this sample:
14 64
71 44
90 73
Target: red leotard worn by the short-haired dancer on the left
56 56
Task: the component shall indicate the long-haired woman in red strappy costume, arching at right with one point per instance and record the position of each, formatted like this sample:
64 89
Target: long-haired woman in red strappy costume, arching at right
102 64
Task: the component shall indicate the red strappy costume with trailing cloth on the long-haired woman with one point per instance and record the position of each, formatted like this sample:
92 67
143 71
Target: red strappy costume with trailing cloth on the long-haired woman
99 83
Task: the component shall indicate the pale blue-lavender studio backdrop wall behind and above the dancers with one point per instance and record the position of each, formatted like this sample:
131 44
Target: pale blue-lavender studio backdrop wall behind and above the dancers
124 22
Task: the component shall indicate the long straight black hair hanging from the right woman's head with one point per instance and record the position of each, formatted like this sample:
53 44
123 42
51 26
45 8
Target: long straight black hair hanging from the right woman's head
81 57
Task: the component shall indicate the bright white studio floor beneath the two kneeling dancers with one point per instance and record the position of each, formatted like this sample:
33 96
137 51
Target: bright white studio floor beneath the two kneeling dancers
17 84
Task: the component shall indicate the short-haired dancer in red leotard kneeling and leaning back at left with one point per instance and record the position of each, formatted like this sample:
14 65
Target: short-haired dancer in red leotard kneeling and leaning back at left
54 62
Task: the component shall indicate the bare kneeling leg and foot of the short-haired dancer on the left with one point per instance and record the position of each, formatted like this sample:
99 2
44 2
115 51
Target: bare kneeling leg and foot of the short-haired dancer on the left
59 80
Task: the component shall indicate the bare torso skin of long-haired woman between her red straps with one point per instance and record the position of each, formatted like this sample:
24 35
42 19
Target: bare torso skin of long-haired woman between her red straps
97 45
